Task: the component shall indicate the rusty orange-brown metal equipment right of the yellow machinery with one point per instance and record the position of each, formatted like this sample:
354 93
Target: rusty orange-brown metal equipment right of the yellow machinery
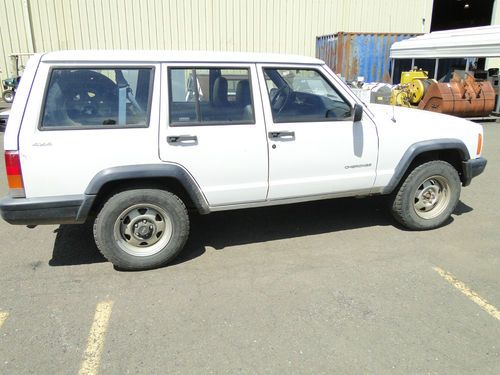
460 97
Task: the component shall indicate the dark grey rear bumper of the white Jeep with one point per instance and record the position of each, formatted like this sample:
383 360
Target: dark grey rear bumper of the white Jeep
71 209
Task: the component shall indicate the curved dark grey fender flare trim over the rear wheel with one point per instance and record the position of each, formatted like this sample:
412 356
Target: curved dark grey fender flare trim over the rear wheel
151 171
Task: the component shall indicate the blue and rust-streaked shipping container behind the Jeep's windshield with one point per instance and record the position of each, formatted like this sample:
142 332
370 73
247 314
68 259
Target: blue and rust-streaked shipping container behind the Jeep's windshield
354 55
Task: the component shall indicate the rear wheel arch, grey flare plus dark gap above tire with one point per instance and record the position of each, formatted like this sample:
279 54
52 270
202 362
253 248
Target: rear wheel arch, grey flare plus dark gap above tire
168 176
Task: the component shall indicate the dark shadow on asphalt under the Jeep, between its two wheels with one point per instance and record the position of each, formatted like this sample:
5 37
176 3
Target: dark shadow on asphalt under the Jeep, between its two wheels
239 227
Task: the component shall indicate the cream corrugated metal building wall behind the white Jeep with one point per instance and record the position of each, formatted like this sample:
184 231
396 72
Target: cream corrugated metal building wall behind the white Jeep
281 26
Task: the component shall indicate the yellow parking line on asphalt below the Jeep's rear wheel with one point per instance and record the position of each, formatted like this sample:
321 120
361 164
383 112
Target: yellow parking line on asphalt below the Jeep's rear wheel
95 344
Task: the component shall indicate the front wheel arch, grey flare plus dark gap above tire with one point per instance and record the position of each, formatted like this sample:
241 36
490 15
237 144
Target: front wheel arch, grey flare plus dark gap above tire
453 151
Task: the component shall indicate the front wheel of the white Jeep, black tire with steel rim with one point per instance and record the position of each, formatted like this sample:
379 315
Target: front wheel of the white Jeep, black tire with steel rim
427 197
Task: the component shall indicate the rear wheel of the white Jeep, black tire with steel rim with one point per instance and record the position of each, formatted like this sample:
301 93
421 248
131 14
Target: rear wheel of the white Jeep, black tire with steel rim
141 228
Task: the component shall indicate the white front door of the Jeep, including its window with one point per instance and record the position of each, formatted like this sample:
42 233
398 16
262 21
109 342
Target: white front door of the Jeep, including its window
315 147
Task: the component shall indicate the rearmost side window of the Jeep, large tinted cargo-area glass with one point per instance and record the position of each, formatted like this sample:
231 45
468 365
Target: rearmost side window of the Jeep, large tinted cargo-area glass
97 98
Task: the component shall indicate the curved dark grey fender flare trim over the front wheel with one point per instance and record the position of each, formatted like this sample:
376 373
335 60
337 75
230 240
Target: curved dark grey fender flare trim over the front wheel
420 147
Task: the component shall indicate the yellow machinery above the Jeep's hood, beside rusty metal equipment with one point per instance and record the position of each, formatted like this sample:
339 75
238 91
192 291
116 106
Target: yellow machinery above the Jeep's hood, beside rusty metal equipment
412 88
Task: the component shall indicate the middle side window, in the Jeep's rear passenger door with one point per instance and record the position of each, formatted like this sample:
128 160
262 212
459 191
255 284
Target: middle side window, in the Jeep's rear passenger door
200 96
